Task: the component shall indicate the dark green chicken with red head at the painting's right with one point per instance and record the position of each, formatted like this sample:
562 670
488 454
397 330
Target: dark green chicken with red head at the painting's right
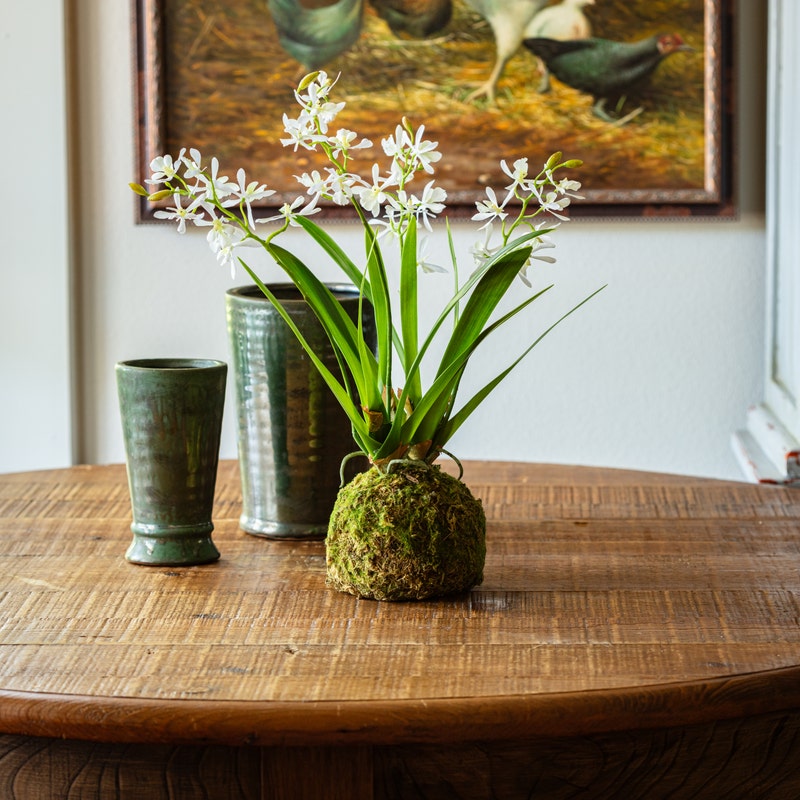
605 69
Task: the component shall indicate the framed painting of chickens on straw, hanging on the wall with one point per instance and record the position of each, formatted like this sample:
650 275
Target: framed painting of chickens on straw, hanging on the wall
640 90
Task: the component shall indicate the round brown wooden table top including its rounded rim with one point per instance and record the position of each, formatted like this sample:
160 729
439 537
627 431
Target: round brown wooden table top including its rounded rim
612 600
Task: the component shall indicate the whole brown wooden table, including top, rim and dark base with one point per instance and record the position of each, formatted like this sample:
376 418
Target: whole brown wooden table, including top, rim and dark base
636 635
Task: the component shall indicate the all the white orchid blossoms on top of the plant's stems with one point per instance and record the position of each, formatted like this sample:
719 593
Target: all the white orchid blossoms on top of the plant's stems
382 199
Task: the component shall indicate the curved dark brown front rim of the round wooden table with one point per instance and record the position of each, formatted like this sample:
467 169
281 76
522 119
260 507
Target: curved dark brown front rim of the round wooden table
384 722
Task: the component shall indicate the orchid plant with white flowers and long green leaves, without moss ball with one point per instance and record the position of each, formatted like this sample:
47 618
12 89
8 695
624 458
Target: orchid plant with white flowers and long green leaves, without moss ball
391 418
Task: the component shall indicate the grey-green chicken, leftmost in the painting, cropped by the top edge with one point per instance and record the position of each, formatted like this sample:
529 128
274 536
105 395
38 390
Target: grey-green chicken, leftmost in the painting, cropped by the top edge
315 33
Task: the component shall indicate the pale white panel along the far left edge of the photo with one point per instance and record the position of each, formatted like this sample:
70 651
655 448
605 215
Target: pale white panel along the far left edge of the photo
35 335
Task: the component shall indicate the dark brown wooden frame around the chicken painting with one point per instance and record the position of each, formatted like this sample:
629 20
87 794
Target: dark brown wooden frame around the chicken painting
715 198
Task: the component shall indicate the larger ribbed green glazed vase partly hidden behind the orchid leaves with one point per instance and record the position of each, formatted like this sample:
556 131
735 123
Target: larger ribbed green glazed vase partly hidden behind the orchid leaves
293 434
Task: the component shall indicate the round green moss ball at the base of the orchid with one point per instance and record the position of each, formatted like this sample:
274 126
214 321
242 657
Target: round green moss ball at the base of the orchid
409 535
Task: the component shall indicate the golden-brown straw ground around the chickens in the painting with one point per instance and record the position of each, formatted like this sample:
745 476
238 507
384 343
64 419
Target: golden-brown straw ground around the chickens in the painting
228 82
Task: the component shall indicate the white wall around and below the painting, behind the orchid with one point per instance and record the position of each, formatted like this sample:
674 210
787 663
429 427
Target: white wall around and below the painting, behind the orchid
654 374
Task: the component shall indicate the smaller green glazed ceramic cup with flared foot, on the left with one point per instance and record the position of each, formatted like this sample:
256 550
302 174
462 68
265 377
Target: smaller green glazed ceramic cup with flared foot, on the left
171 411
